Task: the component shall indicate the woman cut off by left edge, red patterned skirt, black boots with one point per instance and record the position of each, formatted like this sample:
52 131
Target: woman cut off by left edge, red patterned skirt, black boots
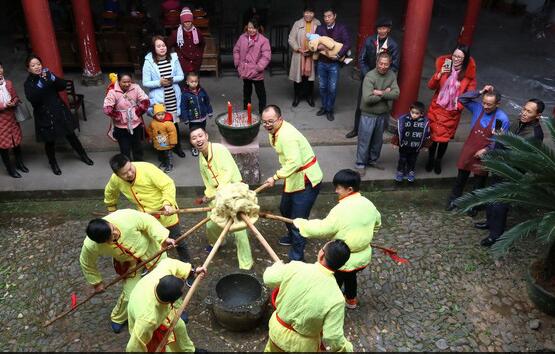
10 131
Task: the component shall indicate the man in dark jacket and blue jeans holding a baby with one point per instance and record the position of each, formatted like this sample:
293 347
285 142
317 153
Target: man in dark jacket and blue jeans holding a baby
328 68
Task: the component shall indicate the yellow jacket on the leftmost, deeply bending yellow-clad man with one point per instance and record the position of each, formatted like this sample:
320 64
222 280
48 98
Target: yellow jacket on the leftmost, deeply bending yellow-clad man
141 237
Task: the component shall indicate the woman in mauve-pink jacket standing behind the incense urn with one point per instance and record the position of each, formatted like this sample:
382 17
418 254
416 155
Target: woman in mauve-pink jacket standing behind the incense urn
251 56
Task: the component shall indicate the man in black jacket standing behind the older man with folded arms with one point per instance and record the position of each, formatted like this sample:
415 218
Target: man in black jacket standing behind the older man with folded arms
375 44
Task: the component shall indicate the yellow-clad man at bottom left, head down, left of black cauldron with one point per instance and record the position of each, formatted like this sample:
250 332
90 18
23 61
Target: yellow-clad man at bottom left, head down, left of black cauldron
152 307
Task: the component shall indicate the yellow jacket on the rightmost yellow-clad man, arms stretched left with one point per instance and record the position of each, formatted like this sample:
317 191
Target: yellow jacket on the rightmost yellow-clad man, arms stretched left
353 220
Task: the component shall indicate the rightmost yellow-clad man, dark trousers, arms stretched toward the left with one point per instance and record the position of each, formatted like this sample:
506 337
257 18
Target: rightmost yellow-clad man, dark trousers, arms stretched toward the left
353 220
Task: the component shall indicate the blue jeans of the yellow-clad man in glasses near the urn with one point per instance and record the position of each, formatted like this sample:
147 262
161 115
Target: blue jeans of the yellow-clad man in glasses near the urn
298 205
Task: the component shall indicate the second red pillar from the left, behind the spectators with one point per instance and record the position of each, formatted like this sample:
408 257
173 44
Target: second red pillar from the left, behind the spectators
87 42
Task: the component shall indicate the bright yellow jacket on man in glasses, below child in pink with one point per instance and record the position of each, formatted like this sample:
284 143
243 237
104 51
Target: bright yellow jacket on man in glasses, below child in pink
150 191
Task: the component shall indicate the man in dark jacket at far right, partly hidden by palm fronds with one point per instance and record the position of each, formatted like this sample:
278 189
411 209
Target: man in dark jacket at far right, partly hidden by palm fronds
529 128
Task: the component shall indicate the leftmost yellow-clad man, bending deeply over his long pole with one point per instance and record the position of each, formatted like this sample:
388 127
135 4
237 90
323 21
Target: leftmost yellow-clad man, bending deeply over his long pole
129 237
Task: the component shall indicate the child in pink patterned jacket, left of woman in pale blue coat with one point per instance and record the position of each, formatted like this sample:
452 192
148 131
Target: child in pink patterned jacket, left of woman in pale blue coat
125 103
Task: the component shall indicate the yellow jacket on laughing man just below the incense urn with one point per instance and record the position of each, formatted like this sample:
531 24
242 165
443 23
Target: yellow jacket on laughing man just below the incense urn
217 169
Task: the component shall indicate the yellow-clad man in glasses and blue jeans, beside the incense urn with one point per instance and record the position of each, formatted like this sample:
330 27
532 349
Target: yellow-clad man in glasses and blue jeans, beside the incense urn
299 170
